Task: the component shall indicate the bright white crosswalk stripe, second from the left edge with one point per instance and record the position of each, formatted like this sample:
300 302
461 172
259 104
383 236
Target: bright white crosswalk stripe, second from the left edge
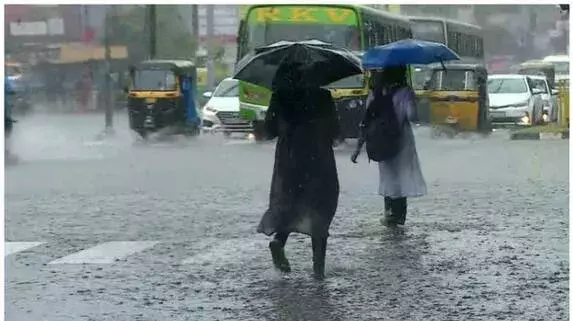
105 253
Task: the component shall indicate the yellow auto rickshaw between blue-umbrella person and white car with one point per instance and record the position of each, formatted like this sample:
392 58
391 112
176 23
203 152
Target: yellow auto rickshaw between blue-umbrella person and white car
458 100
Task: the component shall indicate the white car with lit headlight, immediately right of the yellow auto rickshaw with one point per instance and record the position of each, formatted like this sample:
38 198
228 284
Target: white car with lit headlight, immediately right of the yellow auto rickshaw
513 100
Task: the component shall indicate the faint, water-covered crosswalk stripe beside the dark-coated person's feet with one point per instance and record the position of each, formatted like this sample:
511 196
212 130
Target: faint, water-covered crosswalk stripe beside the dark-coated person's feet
227 251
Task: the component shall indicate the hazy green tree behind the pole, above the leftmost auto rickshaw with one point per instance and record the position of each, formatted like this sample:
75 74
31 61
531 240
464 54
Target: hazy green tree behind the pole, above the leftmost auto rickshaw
173 39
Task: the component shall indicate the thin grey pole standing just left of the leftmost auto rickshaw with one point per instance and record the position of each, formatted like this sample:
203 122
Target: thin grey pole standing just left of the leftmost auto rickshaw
109 101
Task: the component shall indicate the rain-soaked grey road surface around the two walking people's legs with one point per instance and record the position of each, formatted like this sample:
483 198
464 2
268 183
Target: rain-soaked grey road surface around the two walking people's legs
113 231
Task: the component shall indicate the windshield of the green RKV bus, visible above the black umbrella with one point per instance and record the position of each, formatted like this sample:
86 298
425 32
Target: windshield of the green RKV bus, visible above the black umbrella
345 36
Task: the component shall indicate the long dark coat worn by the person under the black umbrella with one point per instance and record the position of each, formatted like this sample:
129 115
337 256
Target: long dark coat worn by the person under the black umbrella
304 188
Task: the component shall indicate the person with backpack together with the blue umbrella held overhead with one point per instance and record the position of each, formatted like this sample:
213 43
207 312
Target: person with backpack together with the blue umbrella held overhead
386 126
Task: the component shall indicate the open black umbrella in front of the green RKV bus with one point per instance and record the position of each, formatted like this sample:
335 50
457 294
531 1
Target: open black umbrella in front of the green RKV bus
319 63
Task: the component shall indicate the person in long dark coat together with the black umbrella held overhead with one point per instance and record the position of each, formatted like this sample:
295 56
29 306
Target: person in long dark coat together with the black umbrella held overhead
304 188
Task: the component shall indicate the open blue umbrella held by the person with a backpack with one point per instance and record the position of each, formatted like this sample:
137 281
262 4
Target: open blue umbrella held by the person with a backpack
407 52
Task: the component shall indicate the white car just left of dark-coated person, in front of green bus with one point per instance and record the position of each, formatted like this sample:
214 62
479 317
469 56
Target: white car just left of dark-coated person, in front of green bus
221 112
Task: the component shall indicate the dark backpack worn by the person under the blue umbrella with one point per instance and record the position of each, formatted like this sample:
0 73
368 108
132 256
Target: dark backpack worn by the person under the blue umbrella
382 132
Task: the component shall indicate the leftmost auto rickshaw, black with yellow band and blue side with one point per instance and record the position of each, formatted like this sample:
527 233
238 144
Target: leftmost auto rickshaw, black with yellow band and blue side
162 95
